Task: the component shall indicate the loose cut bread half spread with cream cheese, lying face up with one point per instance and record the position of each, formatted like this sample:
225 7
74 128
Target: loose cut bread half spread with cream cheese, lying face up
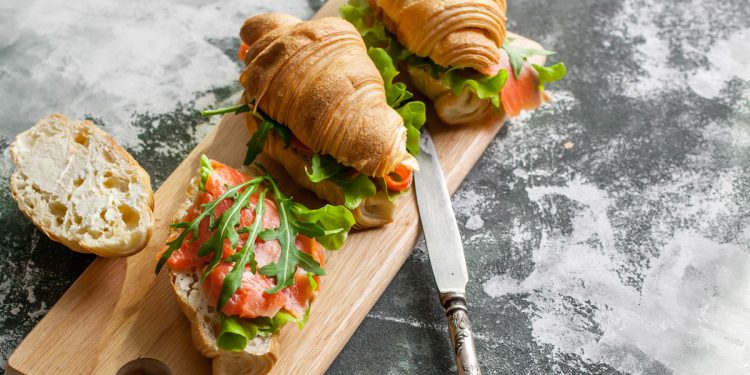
81 188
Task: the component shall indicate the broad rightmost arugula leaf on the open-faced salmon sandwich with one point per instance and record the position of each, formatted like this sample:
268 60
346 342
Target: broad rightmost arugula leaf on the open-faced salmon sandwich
290 257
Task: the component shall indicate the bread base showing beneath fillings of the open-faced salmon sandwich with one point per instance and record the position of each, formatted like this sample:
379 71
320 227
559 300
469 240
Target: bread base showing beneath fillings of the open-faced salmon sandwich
259 355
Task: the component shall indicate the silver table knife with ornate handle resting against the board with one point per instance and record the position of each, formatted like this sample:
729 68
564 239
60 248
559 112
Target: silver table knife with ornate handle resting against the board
446 252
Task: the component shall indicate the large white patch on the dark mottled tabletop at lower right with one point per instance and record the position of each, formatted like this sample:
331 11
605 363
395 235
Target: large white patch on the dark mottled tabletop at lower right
691 302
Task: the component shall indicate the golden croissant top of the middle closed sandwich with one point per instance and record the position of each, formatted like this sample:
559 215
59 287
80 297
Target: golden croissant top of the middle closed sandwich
315 77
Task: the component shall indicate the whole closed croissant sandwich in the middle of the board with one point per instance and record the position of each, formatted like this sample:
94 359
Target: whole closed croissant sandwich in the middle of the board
328 111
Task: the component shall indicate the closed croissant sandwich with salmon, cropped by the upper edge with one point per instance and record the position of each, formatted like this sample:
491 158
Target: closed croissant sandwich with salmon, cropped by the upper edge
458 54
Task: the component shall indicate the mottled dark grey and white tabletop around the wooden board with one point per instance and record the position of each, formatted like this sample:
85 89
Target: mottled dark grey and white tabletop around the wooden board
608 232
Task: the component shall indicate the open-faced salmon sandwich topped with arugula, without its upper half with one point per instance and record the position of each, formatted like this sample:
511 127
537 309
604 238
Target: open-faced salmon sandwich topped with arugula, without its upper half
244 260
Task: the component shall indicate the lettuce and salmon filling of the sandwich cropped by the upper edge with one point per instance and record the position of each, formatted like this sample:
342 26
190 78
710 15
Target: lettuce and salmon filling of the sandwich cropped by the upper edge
513 85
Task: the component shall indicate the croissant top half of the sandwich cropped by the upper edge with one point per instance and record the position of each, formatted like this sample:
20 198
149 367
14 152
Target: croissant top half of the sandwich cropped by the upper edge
453 33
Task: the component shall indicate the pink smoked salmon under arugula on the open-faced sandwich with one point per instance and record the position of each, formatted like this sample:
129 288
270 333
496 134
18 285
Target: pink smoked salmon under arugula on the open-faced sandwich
249 300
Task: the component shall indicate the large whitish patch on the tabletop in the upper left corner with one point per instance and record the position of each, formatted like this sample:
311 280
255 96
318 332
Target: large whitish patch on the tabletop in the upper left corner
113 58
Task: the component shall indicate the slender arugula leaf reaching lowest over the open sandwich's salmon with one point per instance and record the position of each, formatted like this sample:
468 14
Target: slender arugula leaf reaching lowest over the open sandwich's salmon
247 254
